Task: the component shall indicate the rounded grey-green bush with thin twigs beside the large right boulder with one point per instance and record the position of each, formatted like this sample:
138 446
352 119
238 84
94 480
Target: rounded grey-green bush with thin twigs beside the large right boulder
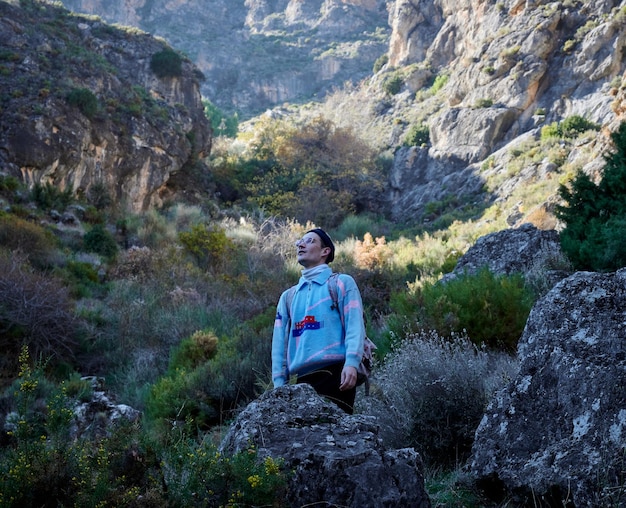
434 391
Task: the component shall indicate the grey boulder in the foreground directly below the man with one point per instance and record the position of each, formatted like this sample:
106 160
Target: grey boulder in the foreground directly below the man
337 459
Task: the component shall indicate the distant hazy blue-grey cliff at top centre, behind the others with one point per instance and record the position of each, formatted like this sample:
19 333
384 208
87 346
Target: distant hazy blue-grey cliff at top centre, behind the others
256 54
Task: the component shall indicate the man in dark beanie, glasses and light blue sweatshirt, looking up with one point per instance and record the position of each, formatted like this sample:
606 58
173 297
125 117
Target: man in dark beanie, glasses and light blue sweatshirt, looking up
315 341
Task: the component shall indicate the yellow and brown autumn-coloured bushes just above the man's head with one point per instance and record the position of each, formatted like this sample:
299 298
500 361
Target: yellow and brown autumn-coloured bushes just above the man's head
317 172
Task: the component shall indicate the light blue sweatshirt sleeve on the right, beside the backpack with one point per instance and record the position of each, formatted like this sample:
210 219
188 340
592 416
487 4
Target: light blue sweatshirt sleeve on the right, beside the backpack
353 320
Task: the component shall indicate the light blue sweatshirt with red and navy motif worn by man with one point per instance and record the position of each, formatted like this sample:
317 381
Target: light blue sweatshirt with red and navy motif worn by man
316 335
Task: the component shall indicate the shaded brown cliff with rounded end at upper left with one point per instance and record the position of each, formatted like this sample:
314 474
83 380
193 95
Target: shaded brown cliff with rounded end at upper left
81 106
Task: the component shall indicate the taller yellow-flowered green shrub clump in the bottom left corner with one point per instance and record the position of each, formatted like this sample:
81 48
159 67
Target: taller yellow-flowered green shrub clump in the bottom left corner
42 465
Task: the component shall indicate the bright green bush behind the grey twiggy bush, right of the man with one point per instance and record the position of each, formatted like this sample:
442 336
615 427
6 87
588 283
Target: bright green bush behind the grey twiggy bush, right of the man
491 309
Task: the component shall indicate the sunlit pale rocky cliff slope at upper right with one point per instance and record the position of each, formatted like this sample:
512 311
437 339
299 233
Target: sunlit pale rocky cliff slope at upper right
483 78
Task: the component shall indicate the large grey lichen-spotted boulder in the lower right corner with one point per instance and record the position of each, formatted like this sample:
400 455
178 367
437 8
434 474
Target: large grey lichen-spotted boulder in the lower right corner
557 432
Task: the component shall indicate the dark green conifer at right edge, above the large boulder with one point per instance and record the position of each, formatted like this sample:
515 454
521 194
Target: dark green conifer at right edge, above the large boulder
594 237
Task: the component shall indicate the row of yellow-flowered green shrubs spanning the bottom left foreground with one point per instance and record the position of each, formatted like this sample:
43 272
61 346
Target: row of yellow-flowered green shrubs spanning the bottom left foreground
40 465
